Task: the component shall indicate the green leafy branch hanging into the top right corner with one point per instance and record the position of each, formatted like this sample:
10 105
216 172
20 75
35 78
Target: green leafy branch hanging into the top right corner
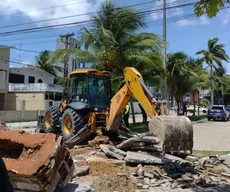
209 7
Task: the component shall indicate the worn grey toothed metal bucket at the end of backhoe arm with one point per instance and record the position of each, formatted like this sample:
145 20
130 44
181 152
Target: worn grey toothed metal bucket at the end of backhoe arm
175 133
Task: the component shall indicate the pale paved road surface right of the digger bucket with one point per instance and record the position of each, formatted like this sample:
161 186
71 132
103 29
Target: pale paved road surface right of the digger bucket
213 135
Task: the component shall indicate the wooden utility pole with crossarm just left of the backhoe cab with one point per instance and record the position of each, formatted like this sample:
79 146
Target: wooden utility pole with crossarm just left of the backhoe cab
65 39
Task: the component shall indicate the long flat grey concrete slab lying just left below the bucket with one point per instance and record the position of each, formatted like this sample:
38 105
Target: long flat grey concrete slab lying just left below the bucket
136 157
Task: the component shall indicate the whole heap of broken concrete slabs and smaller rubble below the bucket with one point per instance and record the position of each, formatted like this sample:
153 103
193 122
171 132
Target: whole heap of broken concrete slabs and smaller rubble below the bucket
156 170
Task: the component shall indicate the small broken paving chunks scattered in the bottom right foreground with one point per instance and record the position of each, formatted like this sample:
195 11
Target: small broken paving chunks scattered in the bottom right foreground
184 174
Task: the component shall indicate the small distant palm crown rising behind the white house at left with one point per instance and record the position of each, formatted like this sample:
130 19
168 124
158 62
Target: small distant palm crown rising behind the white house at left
43 62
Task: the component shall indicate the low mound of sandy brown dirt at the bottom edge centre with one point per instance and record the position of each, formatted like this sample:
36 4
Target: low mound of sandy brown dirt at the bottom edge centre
114 182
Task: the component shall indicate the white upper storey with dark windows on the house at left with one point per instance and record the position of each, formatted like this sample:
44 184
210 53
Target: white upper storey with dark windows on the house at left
29 74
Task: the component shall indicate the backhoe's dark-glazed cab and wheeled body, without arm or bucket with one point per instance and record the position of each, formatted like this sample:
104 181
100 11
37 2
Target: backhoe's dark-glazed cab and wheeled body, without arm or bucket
86 103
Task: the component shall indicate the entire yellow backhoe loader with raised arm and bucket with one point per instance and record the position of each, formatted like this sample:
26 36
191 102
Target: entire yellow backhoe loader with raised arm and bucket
89 106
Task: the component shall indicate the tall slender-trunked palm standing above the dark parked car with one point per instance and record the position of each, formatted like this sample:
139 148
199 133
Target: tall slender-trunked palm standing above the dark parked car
213 56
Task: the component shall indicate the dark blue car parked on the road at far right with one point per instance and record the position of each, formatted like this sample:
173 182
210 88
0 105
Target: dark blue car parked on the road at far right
218 112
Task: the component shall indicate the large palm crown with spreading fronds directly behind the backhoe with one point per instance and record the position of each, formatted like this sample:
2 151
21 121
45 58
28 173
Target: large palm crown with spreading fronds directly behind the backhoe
112 42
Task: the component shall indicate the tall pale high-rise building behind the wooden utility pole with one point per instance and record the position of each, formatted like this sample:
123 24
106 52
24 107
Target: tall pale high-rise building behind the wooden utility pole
72 64
